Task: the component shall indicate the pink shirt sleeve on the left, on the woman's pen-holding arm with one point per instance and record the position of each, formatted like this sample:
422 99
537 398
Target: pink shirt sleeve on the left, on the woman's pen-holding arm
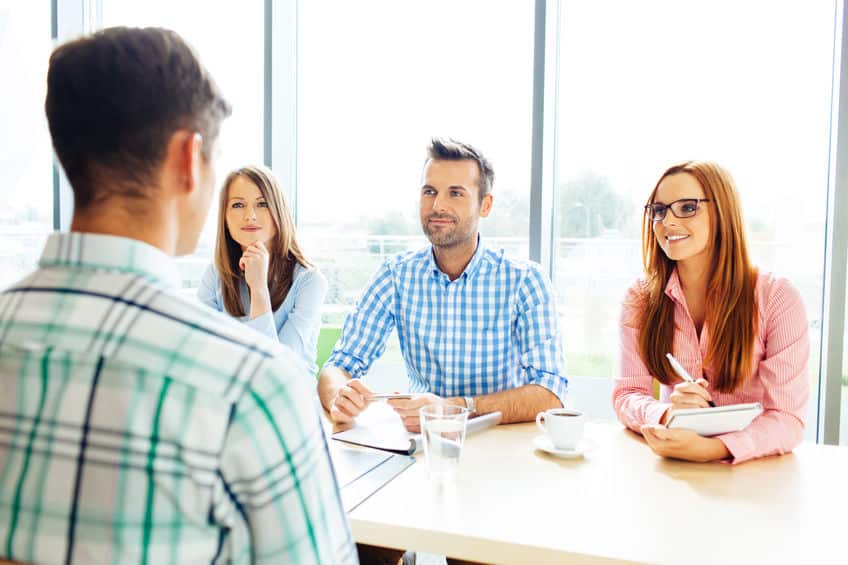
633 389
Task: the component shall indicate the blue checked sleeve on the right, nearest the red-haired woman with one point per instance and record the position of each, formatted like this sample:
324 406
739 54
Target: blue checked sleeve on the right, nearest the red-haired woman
542 359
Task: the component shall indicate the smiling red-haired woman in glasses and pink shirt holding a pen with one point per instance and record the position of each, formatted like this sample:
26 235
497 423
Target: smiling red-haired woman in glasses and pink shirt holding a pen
740 333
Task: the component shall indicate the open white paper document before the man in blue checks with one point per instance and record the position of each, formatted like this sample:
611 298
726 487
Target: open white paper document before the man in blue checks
380 426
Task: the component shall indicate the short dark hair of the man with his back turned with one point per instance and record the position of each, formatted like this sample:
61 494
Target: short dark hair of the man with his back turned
115 98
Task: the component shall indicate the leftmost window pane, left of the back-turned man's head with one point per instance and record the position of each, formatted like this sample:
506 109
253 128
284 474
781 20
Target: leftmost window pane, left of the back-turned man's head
26 179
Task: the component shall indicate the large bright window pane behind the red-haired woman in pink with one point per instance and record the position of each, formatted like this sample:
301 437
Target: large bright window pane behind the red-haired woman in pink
644 85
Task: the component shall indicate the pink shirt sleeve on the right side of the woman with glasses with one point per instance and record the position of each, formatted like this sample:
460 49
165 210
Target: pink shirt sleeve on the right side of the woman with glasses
783 373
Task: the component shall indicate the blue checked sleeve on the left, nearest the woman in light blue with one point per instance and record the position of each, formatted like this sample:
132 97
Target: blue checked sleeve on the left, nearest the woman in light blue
367 327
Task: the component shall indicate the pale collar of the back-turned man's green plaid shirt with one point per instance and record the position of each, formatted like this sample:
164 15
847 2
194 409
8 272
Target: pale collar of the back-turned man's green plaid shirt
111 253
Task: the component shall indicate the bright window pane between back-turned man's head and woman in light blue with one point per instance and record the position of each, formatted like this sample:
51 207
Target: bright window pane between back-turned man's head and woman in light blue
229 40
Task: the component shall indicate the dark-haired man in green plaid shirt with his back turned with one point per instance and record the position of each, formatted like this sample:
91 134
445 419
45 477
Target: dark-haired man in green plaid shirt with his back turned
136 427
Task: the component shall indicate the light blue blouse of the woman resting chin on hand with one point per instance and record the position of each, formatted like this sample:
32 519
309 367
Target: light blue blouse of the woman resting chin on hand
295 323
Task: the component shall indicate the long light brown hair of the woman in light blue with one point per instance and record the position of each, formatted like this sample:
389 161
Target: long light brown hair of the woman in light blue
283 248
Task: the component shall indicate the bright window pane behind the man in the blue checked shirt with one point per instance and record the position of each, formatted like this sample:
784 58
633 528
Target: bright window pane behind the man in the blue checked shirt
370 98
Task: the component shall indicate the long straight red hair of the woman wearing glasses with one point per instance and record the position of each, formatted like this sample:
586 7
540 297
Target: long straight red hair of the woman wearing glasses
731 309
